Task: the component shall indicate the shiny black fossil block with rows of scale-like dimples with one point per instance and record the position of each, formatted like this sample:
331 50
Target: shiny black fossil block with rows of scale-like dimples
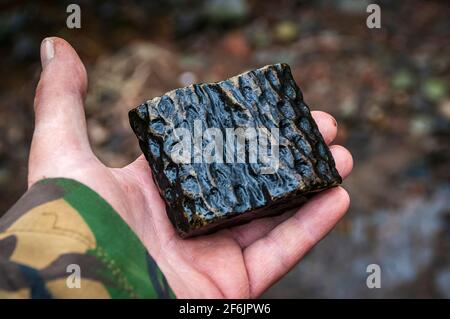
204 197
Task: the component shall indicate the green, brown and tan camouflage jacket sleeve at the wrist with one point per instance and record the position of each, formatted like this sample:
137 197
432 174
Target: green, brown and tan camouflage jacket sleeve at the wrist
62 240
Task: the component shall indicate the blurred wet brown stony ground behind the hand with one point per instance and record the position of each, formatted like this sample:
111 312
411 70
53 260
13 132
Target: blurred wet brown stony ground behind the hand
387 88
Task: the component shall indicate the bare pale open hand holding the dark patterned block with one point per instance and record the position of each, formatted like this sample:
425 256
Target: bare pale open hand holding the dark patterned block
240 262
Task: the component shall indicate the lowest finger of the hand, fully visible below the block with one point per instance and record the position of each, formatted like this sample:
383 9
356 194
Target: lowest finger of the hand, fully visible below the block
272 256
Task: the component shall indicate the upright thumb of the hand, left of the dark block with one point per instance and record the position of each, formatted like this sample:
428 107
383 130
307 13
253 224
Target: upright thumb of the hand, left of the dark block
60 126
